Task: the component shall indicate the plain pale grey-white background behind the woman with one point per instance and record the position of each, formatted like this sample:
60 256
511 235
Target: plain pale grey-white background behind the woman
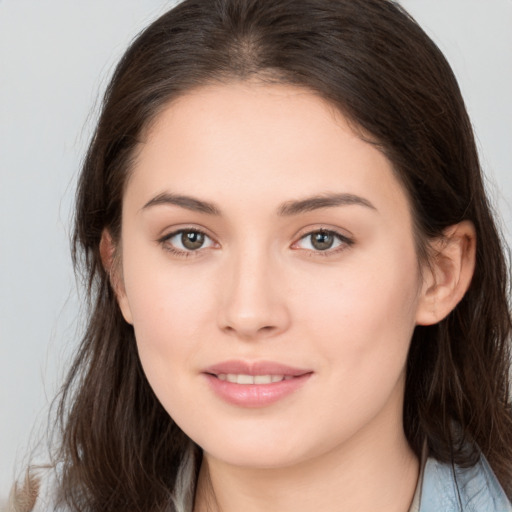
55 59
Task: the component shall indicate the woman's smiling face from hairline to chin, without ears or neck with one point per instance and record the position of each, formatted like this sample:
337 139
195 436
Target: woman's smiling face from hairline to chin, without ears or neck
270 273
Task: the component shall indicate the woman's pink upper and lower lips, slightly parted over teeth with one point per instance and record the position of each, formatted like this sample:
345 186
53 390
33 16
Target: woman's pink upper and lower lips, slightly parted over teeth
257 394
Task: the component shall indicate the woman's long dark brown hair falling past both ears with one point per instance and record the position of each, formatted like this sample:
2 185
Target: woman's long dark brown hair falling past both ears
120 450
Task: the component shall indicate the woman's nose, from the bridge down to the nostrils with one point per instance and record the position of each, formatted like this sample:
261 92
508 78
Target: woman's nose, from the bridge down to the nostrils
254 297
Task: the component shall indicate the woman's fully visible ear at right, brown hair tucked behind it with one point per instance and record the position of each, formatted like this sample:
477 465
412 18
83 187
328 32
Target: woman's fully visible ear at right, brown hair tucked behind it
448 275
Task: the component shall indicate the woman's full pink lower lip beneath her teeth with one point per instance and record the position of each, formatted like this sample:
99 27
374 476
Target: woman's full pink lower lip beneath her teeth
255 395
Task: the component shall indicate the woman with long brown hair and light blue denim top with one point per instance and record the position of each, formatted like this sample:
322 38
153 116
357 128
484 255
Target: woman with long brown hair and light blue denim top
298 293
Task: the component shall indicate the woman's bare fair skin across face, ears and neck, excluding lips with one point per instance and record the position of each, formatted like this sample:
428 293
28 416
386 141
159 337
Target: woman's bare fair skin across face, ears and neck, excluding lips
259 290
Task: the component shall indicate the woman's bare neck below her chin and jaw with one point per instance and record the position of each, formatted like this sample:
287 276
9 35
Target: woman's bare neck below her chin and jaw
373 472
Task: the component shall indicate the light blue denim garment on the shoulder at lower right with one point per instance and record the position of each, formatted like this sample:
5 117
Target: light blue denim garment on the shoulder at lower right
450 488
